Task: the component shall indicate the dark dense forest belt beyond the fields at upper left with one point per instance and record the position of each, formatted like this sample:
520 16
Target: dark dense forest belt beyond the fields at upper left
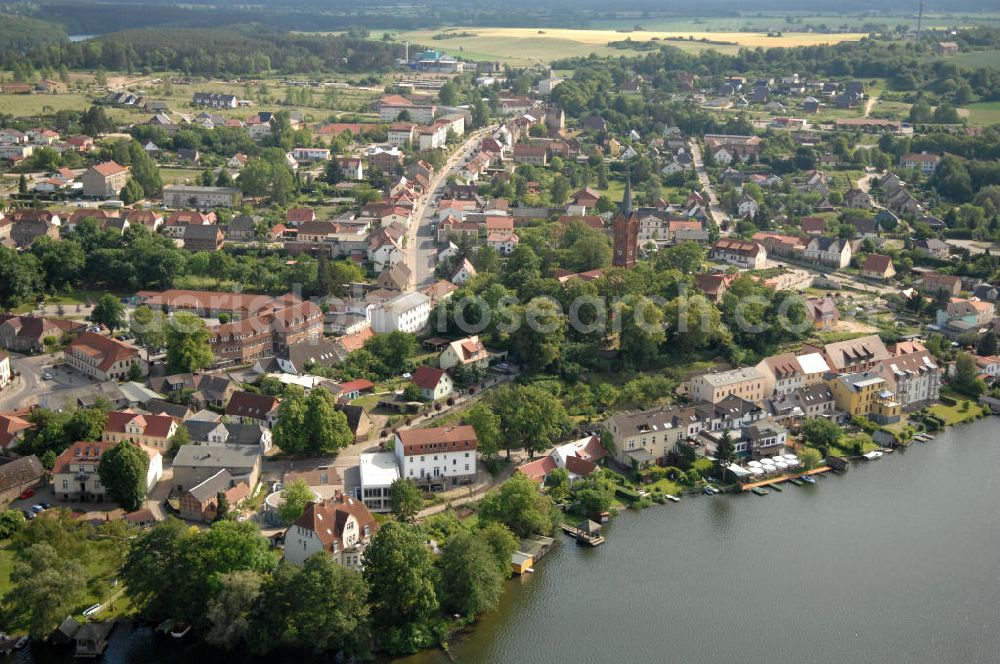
234 51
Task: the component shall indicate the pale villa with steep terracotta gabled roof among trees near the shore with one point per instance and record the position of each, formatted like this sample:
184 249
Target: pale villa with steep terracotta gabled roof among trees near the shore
341 528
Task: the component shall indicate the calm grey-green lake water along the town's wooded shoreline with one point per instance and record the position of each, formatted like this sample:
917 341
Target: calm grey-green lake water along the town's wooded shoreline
897 560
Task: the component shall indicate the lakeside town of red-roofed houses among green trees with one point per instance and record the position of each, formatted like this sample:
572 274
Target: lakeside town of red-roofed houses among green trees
491 306
